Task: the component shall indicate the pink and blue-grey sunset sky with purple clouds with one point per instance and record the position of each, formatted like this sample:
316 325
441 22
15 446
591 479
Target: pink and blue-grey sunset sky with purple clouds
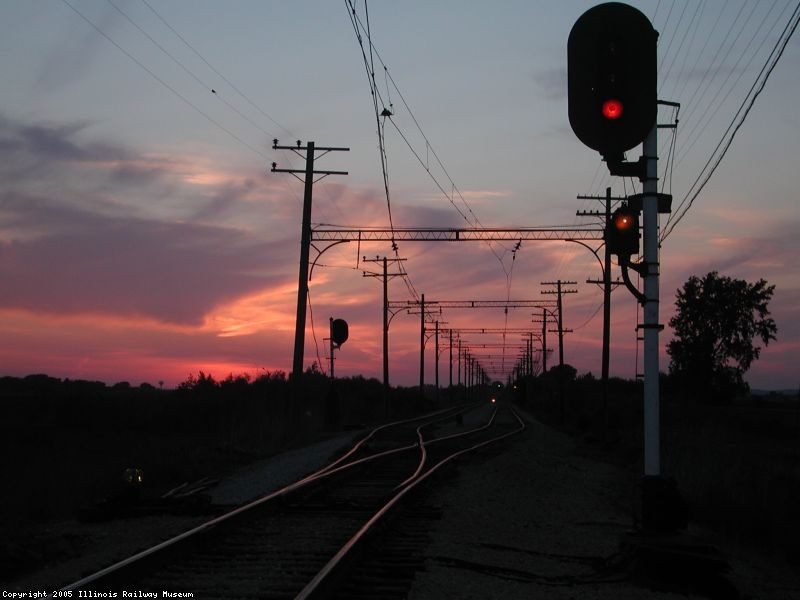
143 238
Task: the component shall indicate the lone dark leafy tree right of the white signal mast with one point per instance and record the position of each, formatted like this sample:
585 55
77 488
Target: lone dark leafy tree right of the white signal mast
715 325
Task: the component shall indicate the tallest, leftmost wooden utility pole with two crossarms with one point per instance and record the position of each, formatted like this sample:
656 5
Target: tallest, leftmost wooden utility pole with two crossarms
305 237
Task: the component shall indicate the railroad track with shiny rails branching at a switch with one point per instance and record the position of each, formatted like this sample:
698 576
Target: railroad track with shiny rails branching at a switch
329 532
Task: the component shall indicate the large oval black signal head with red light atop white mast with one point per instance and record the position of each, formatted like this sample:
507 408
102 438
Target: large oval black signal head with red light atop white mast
611 56
